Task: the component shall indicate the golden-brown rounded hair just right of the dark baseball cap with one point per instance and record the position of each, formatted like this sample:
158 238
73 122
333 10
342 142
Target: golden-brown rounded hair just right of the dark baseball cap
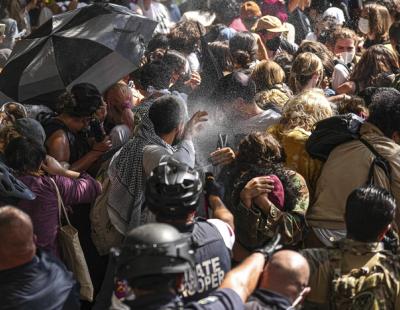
266 74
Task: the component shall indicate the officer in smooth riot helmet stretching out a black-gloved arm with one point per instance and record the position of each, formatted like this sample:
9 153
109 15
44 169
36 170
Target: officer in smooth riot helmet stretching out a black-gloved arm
154 259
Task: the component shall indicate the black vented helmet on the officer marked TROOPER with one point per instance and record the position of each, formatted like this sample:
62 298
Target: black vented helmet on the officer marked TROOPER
173 190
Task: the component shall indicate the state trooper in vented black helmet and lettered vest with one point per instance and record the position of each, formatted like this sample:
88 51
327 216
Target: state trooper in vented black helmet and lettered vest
172 194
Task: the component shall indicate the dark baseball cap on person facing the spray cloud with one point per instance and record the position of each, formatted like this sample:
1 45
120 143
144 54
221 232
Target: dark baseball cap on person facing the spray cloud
233 86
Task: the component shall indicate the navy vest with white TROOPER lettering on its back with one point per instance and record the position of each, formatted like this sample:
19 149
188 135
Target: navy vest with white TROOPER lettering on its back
213 261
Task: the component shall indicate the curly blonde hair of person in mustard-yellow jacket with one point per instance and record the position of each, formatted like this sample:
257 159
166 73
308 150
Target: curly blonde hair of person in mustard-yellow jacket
305 110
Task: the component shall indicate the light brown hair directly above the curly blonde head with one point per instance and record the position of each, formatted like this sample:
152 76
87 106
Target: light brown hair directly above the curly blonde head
304 66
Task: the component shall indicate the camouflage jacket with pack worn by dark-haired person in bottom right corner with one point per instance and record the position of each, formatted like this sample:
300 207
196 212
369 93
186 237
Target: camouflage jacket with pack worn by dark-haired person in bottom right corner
353 275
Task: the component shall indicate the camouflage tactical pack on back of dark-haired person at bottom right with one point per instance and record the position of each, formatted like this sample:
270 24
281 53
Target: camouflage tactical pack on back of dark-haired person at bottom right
365 288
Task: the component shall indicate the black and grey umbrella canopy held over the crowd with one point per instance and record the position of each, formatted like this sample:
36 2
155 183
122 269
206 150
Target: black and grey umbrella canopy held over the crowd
98 44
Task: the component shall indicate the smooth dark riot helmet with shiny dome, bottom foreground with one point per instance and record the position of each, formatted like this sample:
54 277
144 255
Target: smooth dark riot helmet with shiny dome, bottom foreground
152 252
